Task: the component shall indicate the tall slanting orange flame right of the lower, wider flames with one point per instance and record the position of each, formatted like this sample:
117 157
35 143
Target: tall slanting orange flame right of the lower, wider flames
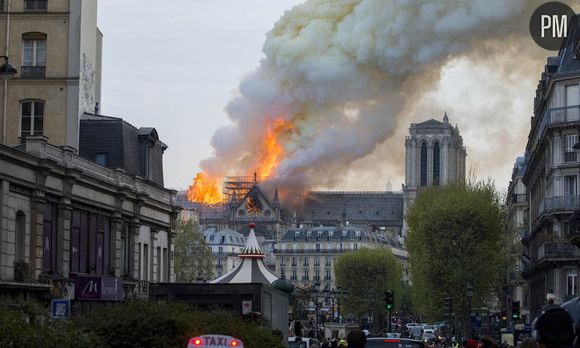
272 151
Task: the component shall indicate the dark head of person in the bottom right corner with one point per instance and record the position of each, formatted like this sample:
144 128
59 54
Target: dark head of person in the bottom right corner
553 328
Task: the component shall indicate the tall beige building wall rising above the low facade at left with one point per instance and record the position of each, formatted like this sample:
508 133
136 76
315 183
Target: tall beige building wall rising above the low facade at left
57 51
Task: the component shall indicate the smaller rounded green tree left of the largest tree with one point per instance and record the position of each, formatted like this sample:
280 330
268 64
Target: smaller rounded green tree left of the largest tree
365 275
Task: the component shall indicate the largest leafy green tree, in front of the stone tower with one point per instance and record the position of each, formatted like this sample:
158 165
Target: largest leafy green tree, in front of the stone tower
455 239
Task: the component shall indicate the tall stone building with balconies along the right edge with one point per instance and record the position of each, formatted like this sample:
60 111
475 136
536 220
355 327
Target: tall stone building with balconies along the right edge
551 173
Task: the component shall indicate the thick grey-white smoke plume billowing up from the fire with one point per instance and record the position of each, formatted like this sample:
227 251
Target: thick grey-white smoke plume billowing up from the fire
343 72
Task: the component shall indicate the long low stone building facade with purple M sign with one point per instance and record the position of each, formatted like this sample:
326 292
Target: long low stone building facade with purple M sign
63 216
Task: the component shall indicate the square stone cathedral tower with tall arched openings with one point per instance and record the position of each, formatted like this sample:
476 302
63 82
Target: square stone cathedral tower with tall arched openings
434 155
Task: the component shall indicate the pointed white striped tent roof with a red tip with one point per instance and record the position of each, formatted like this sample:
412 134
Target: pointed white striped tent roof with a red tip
252 268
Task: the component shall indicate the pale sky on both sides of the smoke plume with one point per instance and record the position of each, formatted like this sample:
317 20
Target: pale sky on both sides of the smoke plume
175 65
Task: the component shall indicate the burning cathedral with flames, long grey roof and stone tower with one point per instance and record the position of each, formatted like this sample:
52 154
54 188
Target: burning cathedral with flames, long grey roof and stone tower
435 155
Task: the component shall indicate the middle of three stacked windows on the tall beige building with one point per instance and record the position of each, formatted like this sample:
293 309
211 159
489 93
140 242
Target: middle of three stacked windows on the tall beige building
33 55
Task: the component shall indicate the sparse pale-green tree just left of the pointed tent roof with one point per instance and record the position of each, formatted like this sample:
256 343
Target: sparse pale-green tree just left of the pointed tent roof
193 258
